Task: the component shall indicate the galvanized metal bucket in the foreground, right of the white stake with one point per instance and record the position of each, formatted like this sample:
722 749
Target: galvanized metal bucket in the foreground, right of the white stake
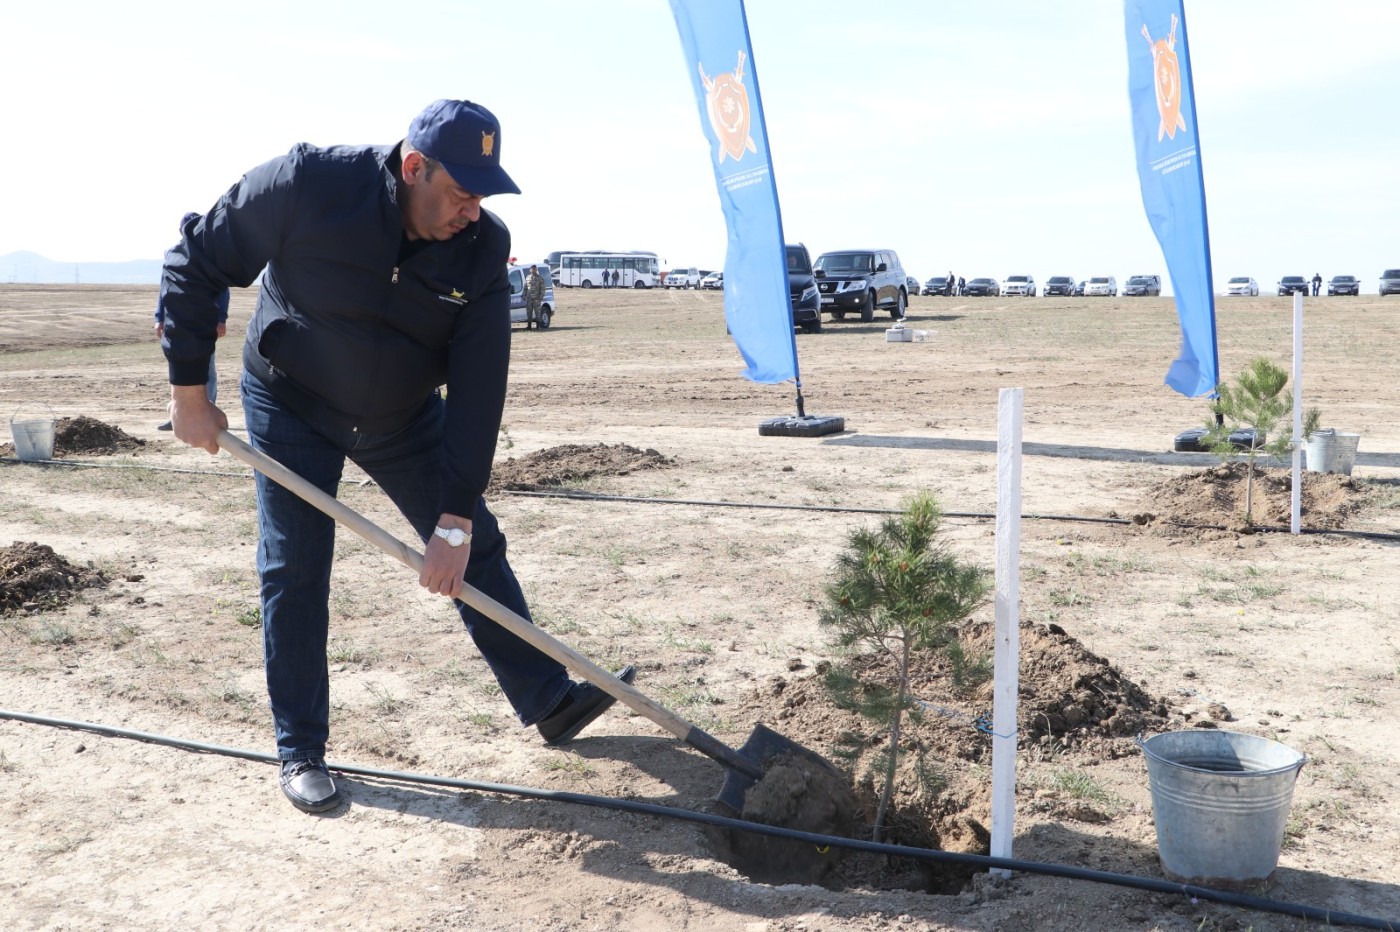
1220 803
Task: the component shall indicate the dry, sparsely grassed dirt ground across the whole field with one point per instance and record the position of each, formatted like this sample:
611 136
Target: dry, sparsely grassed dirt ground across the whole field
131 601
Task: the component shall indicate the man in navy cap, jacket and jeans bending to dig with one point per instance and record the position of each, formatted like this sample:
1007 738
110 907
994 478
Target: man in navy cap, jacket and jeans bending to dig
383 281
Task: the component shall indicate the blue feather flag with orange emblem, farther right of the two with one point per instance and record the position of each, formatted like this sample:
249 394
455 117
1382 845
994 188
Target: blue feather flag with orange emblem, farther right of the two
1170 170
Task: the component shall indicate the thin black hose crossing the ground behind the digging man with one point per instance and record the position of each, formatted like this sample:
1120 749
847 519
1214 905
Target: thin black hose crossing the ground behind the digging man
710 503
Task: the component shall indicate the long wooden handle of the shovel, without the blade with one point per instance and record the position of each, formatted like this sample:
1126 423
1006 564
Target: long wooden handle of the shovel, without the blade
626 695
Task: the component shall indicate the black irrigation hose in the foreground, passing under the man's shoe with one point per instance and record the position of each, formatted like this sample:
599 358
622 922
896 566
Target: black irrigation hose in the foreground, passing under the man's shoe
738 825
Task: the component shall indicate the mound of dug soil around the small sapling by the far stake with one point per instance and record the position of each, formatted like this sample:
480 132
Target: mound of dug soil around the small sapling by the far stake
1216 496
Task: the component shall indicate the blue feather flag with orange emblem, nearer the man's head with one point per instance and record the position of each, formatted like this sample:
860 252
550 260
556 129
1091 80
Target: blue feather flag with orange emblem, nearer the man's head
715 36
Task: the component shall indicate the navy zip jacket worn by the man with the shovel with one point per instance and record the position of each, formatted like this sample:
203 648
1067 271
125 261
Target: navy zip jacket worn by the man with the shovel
345 334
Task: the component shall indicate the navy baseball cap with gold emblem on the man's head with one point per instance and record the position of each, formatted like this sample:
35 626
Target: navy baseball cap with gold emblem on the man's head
467 139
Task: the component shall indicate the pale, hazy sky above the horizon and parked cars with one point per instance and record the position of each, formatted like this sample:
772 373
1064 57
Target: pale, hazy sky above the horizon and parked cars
985 138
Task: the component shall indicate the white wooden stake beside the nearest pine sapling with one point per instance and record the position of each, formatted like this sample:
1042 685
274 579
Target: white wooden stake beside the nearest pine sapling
1009 626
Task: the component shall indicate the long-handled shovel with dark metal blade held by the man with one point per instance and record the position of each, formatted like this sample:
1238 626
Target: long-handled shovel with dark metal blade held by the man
743 769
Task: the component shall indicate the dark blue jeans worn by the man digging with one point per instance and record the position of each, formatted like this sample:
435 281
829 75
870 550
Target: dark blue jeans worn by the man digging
296 545
